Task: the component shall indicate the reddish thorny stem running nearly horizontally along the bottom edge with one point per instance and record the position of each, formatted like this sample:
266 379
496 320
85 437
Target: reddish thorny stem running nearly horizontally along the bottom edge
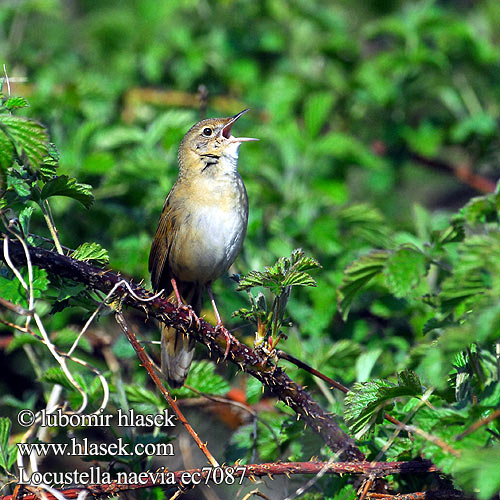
375 469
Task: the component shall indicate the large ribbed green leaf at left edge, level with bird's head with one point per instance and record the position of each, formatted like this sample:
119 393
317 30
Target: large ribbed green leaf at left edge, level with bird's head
29 137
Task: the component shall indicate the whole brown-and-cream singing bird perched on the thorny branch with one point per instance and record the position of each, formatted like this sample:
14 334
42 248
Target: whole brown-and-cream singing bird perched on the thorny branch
200 232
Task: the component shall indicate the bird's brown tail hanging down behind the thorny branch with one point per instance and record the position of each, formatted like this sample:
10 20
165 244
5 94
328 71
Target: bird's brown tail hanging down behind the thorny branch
177 347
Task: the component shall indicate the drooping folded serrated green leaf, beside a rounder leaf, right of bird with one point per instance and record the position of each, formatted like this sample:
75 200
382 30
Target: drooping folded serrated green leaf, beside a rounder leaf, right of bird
357 275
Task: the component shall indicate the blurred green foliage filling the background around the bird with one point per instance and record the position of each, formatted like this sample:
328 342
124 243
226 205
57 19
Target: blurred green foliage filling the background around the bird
349 100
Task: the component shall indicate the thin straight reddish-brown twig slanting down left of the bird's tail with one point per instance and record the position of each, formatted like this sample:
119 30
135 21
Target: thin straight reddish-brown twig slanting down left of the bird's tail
146 362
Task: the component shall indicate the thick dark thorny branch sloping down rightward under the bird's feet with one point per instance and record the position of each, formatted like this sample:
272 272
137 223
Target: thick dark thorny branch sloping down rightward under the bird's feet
270 375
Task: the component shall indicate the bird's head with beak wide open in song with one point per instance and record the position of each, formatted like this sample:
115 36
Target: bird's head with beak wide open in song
210 141
